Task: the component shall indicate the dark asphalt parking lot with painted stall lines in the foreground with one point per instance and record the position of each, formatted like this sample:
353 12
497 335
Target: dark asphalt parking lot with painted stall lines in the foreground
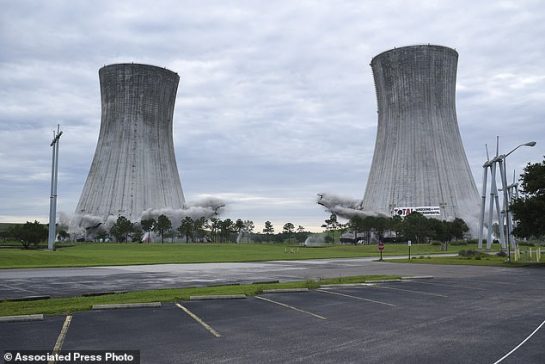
447 320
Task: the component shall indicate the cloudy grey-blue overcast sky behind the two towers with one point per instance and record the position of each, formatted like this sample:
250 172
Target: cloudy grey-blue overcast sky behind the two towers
276 100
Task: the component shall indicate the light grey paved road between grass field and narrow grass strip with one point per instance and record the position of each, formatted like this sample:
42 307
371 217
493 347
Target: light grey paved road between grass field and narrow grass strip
58 282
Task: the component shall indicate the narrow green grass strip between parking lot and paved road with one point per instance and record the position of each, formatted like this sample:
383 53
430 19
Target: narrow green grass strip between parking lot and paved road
58 306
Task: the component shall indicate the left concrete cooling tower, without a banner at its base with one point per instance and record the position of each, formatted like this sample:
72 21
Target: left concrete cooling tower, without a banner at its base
134 167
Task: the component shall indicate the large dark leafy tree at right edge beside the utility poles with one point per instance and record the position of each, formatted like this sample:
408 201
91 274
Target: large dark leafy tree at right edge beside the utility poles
528 210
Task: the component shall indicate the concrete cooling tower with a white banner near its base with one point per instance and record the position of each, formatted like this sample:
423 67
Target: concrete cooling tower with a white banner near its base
419 161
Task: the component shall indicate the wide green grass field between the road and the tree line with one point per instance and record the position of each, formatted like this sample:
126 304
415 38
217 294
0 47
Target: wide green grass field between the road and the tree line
97 254
